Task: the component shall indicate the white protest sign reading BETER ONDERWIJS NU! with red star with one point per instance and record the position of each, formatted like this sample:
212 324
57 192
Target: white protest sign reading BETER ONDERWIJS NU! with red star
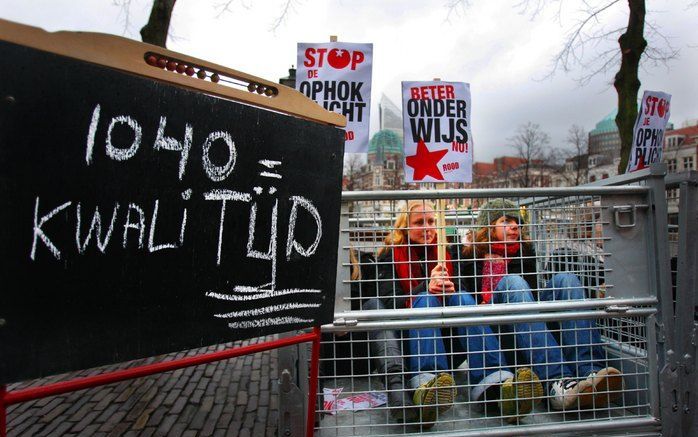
436 127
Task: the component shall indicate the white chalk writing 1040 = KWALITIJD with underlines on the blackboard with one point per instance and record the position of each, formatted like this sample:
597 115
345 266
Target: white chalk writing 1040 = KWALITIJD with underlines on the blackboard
98 227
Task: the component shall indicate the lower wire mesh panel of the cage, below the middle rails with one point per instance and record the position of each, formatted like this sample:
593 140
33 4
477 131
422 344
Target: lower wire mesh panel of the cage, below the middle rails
356 402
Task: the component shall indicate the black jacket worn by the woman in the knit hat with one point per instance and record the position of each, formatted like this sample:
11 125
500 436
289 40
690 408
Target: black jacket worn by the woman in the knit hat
469 272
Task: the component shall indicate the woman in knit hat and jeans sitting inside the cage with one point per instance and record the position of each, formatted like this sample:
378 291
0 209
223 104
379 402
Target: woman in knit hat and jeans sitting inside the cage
499 266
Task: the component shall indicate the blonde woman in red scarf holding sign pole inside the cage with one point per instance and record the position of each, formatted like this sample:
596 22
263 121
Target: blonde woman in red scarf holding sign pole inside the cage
408 273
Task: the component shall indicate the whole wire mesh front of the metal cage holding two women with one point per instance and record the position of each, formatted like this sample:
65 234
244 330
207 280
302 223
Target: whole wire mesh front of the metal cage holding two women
518 326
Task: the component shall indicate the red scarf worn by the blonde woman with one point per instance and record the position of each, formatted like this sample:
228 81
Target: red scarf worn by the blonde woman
408 266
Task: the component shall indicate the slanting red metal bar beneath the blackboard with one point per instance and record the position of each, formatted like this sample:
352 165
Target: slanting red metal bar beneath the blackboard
14 397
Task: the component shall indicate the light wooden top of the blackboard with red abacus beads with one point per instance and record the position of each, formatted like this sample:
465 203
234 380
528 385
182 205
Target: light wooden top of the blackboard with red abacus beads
130 56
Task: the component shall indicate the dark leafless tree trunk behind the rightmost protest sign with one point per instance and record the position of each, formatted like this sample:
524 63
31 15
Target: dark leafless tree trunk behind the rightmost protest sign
627 84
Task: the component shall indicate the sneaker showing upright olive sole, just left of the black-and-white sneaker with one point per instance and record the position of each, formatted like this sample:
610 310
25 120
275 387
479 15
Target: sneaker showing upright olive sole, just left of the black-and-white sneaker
520 394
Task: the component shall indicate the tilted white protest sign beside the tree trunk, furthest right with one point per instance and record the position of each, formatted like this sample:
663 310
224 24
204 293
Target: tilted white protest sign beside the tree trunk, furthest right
648 133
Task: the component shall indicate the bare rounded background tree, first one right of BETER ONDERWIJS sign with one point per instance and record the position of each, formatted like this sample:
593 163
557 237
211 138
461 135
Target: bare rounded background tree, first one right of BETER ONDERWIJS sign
530 144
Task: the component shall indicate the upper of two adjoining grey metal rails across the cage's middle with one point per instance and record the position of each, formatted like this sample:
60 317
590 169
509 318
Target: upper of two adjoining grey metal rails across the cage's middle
446 312
